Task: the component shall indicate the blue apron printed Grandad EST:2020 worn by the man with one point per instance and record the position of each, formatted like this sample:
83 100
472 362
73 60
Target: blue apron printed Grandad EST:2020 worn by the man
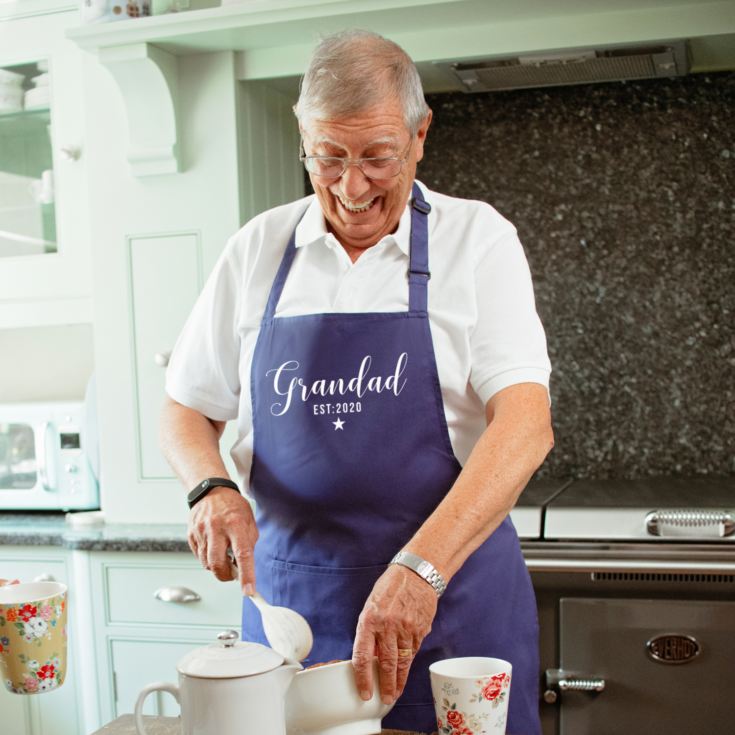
351 455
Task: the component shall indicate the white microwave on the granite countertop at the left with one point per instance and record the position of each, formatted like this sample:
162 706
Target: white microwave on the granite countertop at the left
44 464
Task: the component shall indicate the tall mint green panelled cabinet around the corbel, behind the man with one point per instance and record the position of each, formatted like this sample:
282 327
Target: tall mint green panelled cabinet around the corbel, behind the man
238 154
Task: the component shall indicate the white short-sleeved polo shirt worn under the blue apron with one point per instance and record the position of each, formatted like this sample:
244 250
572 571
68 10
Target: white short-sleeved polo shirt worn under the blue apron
482 313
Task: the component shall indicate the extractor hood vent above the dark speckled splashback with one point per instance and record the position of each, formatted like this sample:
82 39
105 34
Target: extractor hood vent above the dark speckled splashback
572 66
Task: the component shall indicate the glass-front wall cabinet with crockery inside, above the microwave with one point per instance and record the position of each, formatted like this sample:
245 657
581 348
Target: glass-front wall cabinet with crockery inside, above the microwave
45 269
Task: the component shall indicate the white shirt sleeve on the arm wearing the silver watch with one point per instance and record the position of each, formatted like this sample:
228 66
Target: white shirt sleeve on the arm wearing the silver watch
508 343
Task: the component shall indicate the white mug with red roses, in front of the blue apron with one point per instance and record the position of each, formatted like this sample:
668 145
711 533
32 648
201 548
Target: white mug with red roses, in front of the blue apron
471 695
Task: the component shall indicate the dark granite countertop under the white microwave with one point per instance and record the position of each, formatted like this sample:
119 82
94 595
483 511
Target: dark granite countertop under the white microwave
51 529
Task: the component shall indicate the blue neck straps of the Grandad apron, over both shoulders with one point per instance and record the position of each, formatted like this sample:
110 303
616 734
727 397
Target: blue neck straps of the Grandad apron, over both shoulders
418 269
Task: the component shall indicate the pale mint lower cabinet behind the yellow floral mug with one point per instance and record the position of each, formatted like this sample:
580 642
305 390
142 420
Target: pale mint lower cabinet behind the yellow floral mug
57 712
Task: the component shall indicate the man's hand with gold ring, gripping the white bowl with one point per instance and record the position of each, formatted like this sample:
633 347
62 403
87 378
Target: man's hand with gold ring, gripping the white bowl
394 621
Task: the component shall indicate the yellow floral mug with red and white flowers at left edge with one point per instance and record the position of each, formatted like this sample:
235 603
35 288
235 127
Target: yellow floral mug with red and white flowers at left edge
33 636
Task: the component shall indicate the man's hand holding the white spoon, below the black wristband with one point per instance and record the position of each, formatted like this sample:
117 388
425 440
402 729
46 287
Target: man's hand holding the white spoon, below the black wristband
221 520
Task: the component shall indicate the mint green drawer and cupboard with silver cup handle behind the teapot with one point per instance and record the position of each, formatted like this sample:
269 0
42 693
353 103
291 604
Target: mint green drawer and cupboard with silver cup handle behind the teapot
151 609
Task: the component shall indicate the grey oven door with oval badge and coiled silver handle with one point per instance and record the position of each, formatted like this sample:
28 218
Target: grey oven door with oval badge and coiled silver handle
644 667
